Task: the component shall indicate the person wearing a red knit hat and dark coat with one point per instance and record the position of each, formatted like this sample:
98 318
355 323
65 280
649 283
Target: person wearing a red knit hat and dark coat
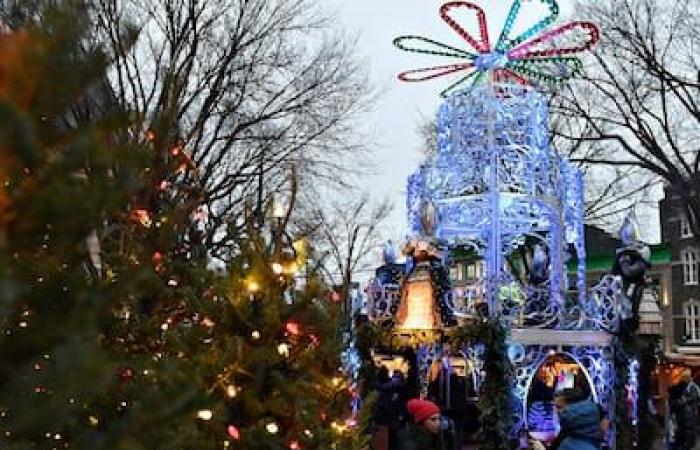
424 432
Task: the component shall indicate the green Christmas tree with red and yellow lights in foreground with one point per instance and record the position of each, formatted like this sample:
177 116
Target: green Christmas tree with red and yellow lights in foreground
114 332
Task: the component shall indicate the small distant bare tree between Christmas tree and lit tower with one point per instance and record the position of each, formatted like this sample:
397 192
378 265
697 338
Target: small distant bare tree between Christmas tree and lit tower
345 234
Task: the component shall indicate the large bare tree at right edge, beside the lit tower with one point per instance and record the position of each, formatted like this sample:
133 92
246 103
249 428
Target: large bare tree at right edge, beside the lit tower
636 109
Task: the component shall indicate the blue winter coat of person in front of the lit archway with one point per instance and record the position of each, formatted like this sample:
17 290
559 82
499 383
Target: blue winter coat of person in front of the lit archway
580 426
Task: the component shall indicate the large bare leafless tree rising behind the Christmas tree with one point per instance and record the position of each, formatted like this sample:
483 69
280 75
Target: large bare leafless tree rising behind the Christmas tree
247 88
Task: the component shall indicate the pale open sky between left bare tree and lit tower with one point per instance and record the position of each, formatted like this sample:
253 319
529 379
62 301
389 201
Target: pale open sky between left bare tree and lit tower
402 106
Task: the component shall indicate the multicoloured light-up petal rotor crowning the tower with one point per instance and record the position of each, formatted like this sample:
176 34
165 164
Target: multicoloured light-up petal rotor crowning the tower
534 57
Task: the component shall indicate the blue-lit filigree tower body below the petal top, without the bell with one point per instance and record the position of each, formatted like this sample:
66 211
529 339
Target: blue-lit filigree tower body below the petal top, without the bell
501 193
